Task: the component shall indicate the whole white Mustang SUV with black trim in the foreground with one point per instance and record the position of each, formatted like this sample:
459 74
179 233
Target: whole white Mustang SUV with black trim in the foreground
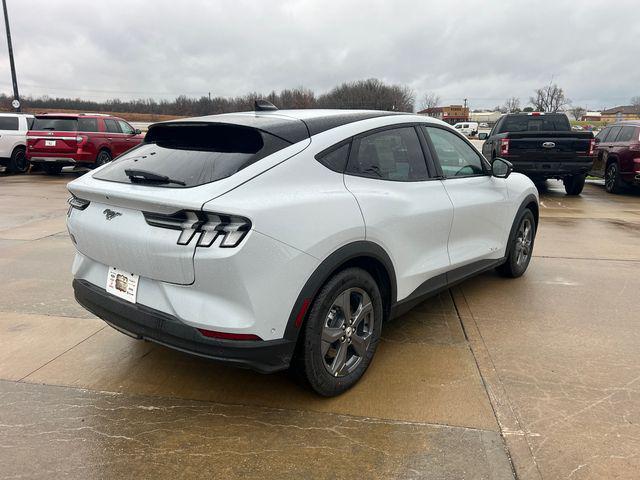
272 239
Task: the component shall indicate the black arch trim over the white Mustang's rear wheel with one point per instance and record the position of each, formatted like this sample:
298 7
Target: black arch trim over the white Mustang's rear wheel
367 255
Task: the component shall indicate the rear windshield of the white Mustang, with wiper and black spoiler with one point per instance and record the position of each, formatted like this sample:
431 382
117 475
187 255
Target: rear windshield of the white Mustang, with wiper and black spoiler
188 155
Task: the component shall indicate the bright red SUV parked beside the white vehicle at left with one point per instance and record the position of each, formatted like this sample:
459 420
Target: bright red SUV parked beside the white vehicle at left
83 139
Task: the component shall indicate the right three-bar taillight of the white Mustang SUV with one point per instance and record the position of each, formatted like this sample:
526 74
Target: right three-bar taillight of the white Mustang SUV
206 227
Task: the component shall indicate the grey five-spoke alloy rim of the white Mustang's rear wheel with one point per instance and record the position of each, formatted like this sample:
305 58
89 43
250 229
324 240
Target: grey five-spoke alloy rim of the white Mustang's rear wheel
347 332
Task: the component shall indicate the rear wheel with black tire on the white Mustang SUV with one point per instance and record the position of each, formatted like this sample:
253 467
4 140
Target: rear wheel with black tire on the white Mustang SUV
318 361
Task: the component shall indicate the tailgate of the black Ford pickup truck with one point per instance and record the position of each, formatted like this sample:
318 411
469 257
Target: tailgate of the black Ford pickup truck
549 146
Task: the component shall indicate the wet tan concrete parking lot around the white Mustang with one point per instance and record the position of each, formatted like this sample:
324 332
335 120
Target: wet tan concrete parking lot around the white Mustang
530 378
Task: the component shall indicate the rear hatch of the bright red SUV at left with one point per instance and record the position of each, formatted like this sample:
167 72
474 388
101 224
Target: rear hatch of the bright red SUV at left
52 136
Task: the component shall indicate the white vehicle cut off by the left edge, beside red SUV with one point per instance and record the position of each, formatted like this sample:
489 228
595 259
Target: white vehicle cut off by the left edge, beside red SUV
13 141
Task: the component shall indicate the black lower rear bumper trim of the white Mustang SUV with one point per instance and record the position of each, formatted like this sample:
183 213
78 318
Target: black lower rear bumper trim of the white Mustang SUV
146 323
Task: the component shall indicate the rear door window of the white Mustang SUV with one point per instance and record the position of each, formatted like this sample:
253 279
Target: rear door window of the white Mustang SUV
393 154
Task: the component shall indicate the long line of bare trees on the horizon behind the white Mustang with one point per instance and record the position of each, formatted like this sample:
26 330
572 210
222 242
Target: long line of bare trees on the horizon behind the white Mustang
370 94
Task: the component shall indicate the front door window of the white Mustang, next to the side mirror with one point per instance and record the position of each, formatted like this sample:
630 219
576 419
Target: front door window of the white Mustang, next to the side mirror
455 156
